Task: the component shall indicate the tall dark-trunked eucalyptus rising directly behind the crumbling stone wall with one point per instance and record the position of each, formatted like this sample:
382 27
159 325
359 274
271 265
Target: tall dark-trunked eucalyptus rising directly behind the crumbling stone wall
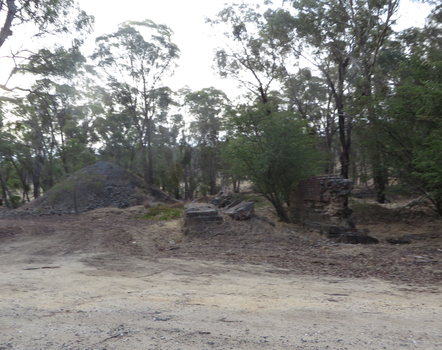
343 40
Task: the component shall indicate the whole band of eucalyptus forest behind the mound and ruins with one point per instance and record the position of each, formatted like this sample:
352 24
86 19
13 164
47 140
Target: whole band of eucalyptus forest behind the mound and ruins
367 105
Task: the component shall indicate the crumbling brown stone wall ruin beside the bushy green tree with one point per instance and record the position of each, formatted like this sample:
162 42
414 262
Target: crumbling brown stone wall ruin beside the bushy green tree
321 203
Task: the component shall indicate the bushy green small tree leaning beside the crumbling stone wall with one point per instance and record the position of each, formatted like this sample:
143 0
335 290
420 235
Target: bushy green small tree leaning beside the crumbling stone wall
272 149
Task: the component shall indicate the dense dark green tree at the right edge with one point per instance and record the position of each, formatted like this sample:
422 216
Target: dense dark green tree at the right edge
410 126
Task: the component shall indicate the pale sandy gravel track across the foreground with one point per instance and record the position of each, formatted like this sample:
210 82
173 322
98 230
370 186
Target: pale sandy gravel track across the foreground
61 291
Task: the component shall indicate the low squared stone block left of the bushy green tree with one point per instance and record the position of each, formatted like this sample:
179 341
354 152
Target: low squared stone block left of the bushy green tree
197 216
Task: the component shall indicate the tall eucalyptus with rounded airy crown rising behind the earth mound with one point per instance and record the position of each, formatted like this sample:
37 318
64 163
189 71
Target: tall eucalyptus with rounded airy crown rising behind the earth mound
135 60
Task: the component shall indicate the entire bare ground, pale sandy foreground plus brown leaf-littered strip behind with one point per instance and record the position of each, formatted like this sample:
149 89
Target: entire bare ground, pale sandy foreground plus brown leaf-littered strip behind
103 280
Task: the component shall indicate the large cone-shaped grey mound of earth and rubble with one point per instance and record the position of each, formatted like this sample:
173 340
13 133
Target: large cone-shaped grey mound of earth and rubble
100 185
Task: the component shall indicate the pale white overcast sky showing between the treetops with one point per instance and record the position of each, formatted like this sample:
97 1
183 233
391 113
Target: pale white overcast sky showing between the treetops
195 38
